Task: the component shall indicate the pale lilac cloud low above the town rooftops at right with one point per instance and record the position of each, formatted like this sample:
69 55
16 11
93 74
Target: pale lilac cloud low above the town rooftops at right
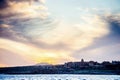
103 53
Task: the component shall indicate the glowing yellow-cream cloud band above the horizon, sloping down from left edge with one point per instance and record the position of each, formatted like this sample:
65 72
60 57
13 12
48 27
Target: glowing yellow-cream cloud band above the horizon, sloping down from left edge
30 53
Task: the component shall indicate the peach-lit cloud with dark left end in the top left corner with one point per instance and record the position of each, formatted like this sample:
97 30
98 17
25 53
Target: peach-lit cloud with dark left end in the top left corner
23 9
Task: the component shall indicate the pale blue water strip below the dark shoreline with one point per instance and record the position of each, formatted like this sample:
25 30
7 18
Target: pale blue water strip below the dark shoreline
60 77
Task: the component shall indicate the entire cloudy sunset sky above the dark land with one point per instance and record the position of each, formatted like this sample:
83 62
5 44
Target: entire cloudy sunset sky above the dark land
58 31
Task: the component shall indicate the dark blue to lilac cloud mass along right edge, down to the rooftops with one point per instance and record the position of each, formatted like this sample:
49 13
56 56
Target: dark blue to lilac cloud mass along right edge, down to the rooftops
106 46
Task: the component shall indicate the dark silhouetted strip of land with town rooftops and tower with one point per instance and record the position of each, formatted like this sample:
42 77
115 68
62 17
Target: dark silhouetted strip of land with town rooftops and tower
80 67
